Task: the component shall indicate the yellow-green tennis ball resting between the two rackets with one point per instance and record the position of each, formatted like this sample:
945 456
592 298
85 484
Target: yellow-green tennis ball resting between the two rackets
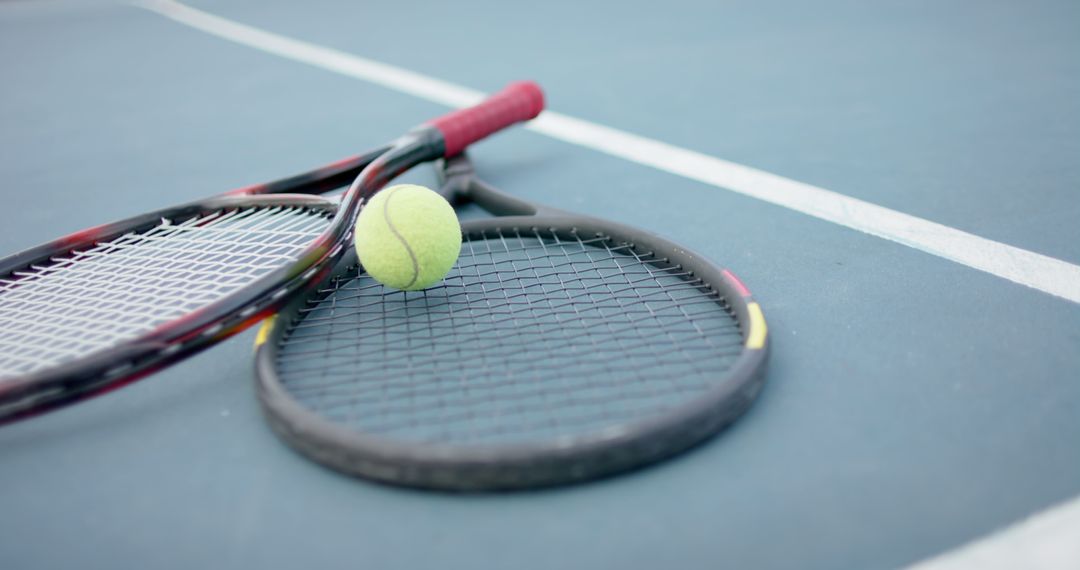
408 237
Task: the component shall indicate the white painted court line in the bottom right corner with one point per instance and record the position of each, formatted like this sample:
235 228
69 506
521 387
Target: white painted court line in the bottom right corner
1047 541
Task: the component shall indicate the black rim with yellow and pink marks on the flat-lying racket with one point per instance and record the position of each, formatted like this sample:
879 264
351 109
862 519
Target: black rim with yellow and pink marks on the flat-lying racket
481 468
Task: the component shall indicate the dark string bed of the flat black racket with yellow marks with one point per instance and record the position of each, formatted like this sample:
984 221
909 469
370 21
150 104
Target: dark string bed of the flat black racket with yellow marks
534 335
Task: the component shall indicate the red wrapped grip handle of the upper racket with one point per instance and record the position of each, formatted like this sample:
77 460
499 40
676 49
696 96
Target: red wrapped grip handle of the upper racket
518 102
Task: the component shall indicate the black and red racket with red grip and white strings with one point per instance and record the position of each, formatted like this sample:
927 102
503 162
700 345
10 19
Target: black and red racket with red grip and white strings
104 307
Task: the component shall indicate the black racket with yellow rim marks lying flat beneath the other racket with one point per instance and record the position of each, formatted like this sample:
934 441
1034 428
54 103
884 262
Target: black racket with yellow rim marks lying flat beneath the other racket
561 348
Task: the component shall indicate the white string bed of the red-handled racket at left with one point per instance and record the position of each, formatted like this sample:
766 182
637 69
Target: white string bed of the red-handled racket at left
115 291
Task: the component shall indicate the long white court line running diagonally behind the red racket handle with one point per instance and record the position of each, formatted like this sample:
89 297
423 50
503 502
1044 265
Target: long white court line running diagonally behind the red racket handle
1035 270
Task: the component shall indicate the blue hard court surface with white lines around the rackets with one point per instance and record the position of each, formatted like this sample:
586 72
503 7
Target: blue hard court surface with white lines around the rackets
896 182
